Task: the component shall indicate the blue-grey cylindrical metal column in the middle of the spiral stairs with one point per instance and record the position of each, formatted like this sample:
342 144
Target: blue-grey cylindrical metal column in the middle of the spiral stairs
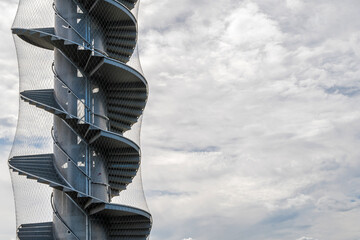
82 99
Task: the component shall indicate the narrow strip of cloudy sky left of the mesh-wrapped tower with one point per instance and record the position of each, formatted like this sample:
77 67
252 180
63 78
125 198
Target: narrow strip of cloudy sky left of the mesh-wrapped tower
9 109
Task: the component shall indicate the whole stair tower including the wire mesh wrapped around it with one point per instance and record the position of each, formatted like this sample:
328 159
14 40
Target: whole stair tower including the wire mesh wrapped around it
75 162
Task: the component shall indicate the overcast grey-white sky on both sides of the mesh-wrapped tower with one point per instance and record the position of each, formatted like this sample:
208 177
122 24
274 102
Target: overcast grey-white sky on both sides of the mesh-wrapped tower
252 127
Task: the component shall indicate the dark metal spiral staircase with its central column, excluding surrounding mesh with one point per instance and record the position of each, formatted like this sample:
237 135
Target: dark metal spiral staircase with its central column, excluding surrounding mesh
96 98
